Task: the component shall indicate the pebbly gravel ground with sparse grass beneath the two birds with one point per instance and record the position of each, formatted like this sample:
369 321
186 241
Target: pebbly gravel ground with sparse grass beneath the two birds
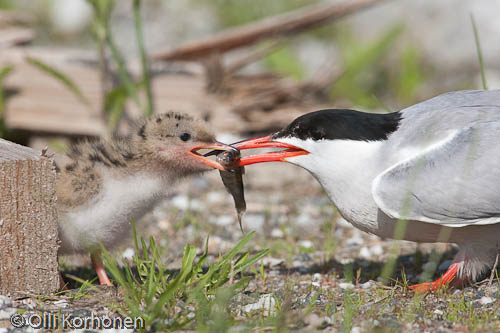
321 273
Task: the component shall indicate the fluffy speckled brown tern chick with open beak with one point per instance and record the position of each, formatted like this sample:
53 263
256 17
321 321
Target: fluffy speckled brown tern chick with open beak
102 185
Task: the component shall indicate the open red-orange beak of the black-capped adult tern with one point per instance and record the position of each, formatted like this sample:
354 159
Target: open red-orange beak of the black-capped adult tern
265 142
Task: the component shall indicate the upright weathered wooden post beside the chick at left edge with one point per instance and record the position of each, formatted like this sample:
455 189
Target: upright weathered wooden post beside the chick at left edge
28 221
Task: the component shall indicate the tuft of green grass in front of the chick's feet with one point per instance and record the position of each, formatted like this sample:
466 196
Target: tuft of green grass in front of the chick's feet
155 297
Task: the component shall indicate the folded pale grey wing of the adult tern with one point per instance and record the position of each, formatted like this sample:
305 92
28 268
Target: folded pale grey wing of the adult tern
455 182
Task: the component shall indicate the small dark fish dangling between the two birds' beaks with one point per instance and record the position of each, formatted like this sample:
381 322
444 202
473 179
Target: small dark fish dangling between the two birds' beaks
233 179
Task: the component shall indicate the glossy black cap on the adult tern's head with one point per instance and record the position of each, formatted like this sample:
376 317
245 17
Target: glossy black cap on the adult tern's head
341 124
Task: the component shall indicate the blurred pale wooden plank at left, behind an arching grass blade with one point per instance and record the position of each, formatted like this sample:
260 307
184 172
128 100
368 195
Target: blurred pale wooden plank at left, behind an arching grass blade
44 105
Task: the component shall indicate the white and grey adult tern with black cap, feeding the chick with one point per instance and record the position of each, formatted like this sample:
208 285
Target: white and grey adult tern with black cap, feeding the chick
434 166
